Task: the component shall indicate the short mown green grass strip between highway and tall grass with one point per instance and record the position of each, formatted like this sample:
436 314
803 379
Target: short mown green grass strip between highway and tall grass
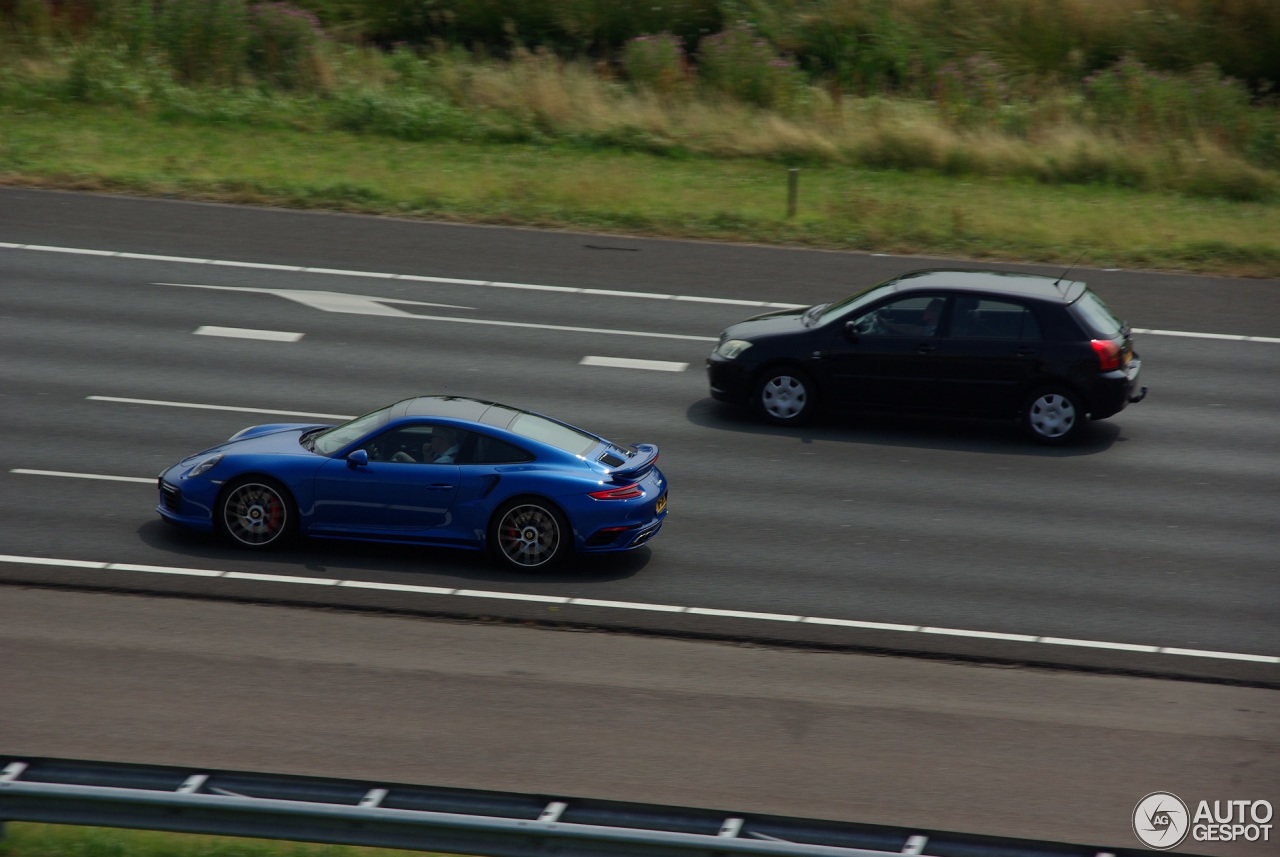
563 186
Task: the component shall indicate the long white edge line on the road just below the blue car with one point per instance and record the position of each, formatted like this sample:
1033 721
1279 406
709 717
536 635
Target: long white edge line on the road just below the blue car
633 606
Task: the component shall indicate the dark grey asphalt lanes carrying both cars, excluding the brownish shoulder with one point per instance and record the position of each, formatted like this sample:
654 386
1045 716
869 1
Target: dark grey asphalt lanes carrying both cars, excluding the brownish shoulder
1160 533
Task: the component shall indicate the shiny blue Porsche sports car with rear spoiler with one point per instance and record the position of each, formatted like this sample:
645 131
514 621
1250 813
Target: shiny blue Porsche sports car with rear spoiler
432 470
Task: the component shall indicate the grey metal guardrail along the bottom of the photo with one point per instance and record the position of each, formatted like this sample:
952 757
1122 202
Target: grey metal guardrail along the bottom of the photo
458 822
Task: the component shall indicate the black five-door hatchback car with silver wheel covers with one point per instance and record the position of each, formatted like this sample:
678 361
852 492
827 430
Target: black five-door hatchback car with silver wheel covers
1046 352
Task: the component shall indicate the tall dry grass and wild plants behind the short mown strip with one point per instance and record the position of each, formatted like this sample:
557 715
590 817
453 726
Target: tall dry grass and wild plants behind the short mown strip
939 107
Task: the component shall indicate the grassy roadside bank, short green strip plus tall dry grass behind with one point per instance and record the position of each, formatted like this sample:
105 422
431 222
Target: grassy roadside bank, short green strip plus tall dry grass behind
1131 168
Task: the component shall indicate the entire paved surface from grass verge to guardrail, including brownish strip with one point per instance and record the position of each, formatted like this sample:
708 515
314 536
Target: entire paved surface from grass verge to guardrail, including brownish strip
136 332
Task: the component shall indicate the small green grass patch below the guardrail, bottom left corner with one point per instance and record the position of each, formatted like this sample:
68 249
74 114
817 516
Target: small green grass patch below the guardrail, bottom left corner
25 840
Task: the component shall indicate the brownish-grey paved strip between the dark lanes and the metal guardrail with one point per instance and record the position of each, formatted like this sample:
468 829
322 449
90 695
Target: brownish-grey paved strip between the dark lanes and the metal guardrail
1036 754
